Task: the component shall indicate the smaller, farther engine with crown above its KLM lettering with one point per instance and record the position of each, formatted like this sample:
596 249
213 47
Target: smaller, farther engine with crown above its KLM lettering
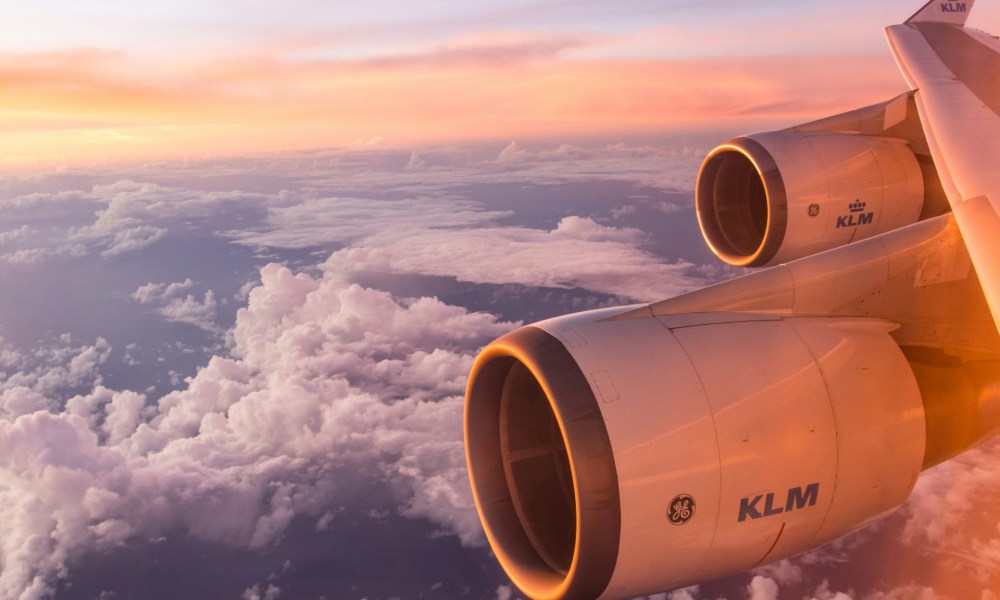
773 197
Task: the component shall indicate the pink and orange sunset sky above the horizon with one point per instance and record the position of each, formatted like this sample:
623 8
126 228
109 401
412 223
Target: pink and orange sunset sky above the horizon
110 80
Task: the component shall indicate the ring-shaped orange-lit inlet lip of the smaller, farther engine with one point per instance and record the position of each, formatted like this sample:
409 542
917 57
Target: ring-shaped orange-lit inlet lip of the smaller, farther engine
776 198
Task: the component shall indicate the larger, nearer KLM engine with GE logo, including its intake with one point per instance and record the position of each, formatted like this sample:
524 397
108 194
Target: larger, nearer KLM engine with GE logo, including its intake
617 457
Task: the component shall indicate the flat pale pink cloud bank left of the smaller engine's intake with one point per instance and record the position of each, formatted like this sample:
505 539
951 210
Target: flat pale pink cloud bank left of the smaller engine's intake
578 253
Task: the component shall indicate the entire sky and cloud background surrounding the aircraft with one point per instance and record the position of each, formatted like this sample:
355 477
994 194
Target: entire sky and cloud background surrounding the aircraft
249 251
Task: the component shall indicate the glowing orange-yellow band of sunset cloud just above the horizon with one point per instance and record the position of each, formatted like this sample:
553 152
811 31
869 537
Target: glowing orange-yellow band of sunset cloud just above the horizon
92 106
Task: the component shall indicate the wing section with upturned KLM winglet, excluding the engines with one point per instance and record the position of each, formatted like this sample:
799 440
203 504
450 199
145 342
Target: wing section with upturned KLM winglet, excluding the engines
955 72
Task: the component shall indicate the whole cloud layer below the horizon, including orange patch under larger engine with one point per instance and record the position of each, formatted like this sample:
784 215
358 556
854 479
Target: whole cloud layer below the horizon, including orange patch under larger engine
333 399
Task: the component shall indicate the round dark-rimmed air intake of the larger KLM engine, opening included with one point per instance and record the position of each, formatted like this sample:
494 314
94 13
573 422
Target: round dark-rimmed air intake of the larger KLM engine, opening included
541 465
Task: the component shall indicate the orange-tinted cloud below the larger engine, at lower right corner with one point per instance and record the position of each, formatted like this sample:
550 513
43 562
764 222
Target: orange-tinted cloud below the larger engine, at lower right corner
945 542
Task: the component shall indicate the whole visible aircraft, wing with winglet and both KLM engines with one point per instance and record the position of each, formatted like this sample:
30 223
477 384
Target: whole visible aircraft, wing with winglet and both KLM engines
625 451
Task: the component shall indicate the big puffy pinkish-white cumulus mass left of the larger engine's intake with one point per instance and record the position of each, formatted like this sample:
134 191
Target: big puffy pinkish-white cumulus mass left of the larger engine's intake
328 382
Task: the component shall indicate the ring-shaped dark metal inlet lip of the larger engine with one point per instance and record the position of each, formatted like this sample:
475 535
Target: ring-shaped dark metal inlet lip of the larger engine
591 459
